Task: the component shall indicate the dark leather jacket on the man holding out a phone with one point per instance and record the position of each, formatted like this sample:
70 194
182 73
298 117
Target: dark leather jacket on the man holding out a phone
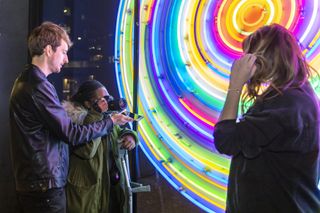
41 132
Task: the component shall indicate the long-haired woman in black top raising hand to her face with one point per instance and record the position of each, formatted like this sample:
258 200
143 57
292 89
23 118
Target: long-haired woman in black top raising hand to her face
274 146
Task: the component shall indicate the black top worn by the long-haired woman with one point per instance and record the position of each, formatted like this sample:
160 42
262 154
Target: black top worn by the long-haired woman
275 154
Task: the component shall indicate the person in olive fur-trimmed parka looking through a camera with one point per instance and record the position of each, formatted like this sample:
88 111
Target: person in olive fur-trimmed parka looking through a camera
96 177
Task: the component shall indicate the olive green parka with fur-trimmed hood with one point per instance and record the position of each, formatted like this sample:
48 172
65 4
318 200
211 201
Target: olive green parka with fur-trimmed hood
89 187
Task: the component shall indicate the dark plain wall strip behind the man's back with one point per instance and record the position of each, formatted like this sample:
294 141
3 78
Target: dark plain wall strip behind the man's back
13 57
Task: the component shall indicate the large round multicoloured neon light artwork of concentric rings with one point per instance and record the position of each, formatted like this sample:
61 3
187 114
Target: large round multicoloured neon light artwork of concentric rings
186 49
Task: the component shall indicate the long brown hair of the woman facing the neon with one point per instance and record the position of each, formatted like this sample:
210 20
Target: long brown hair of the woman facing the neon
280 63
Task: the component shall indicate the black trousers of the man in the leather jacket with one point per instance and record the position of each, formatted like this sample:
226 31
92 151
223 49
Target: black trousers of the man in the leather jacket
50 201
